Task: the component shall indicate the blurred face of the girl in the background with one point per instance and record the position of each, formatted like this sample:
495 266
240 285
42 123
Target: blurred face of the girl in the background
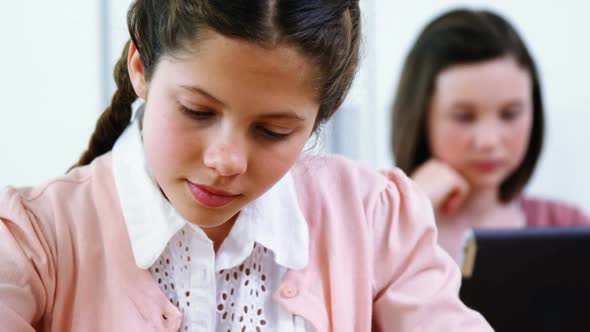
480 119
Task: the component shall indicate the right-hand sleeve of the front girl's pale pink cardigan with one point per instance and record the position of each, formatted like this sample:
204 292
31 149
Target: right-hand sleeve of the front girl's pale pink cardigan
416 283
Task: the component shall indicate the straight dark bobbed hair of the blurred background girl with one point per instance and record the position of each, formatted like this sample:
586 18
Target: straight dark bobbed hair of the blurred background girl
457 37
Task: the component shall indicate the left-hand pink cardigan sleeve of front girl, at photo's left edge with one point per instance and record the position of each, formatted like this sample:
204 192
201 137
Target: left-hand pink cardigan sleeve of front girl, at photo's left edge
26 282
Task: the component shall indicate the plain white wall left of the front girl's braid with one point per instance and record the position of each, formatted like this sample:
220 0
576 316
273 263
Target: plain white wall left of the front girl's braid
49 86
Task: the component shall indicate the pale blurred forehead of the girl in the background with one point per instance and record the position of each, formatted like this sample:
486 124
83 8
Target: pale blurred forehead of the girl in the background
495 80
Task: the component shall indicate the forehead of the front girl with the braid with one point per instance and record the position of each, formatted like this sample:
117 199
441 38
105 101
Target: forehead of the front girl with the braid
236 71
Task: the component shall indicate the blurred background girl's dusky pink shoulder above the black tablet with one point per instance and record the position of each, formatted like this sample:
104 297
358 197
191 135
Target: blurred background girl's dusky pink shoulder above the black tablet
542 212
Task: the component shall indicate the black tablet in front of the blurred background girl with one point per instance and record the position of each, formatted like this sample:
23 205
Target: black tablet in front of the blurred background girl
535 279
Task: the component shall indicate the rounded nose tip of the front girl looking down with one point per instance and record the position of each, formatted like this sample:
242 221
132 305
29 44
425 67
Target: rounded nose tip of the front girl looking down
226 159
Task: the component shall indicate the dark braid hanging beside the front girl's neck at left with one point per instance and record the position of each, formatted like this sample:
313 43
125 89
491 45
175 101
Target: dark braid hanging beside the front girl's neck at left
115 118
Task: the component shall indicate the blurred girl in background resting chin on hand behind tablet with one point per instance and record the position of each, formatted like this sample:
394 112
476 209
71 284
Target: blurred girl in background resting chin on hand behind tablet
468 126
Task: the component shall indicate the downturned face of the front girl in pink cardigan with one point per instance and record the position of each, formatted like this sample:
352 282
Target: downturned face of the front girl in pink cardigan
224 123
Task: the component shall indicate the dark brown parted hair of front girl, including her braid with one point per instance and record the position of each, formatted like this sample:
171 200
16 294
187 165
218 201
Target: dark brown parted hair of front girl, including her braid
325 31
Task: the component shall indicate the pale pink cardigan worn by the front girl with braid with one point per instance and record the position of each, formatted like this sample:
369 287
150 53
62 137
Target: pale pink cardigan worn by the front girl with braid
66 262
